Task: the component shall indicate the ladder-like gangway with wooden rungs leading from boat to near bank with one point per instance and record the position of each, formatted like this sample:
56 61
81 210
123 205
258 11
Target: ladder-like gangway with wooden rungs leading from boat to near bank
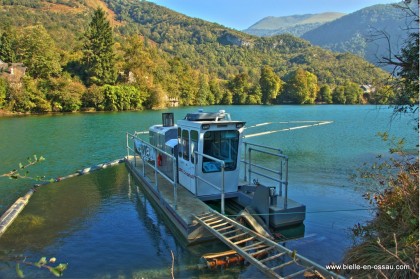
268 256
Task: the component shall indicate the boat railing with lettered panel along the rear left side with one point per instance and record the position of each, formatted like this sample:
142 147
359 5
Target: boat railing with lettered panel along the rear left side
149 154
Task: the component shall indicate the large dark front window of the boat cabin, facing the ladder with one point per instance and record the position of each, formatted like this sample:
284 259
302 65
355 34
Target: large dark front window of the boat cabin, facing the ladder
222 145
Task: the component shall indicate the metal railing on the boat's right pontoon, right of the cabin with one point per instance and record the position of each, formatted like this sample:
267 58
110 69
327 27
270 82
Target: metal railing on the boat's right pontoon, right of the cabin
275 172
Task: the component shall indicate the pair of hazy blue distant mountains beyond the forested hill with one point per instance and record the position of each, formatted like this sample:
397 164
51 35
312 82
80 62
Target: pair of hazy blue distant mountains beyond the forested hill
361 32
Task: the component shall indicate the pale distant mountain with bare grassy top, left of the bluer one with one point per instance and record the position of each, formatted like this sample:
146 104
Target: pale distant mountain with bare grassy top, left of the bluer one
296 25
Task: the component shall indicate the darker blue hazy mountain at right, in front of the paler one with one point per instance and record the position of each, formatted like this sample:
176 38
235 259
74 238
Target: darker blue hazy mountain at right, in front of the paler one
363 32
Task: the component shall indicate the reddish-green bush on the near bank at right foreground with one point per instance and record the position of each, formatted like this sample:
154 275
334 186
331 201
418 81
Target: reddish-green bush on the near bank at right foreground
392 237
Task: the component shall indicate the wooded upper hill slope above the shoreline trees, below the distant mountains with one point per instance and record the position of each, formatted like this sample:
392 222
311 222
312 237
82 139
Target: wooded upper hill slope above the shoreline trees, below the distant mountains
216 48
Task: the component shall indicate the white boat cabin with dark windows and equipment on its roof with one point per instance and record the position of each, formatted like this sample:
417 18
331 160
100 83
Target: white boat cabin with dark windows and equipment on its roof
206 146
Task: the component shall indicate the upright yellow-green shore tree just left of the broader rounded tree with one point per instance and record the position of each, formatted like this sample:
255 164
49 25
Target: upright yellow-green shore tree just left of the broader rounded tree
270 85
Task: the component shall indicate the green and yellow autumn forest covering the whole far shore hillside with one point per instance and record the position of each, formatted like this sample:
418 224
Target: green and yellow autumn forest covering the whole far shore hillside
133 55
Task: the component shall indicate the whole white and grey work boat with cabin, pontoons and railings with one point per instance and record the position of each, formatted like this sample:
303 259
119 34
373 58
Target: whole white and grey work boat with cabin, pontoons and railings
202 163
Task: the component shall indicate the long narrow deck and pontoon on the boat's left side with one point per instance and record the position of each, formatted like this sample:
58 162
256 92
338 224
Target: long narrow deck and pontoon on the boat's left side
179 208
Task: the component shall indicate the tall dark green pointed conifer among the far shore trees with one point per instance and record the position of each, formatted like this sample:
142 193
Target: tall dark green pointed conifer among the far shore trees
98 50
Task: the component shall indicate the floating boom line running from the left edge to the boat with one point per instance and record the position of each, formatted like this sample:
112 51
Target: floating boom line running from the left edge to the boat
16 208
